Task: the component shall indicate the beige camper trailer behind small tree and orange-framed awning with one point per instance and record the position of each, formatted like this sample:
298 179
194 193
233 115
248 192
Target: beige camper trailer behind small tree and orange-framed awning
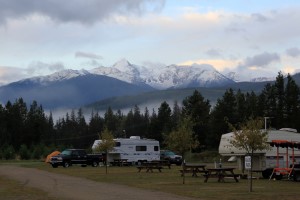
264 161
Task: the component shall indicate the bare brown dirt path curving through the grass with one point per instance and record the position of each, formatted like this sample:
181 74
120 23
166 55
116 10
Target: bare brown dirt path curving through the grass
68 187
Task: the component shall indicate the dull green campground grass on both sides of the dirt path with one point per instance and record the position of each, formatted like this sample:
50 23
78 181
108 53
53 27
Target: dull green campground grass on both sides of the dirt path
169 180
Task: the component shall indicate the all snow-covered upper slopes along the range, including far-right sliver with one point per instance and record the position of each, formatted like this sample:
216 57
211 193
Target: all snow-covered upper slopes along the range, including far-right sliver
158 77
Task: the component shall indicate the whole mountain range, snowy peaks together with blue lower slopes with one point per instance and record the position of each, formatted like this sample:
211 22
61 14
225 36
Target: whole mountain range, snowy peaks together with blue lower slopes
77 88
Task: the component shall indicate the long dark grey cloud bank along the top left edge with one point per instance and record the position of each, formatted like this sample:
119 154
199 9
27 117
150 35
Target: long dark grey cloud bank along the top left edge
86 12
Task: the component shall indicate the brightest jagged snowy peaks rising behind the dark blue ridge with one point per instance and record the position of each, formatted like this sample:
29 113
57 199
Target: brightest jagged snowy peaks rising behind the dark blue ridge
172 76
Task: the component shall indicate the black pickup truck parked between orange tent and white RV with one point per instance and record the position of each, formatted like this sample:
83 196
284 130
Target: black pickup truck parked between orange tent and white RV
75 156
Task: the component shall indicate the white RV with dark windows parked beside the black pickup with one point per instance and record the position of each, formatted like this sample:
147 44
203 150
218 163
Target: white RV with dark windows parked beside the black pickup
134 149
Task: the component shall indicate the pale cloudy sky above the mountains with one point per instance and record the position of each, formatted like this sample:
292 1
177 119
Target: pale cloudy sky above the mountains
253 38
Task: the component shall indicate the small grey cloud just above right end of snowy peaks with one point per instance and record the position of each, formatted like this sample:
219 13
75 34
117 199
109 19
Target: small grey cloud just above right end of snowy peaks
261 60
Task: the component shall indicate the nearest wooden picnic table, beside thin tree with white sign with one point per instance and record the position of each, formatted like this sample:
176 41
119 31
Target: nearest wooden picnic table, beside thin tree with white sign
221 173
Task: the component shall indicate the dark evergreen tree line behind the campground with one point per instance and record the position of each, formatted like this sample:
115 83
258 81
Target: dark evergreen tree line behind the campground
28 132
